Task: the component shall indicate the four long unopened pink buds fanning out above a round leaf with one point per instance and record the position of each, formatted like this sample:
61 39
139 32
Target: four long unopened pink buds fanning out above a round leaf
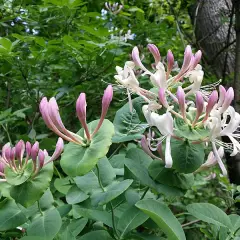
50 114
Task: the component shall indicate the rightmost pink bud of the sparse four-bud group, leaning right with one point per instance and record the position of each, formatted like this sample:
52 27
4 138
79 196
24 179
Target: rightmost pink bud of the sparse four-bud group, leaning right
106 100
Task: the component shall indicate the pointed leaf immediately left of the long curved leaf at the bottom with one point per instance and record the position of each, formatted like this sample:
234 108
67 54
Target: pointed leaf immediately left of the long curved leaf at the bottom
130 219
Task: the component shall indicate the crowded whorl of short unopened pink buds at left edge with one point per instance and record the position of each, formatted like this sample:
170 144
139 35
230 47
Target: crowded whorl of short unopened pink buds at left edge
18 157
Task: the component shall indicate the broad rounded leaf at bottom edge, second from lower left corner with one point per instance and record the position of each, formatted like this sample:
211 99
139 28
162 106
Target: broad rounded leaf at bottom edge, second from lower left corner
47 225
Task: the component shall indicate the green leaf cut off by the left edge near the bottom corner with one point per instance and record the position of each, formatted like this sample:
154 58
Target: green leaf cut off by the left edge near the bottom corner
10 215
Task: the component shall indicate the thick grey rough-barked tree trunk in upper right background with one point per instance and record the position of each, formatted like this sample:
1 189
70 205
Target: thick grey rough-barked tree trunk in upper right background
215 34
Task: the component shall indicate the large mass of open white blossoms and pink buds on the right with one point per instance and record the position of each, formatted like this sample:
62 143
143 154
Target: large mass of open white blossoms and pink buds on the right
180 97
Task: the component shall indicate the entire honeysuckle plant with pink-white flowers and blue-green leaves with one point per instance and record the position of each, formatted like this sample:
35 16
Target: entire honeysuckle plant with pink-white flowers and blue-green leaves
128 180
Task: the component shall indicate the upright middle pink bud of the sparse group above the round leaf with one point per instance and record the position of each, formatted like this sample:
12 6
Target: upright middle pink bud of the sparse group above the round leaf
81 112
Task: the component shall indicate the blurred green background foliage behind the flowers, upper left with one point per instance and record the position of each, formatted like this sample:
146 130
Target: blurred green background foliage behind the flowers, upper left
61 48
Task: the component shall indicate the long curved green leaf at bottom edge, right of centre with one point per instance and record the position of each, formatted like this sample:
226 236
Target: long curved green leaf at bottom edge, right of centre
164 218
